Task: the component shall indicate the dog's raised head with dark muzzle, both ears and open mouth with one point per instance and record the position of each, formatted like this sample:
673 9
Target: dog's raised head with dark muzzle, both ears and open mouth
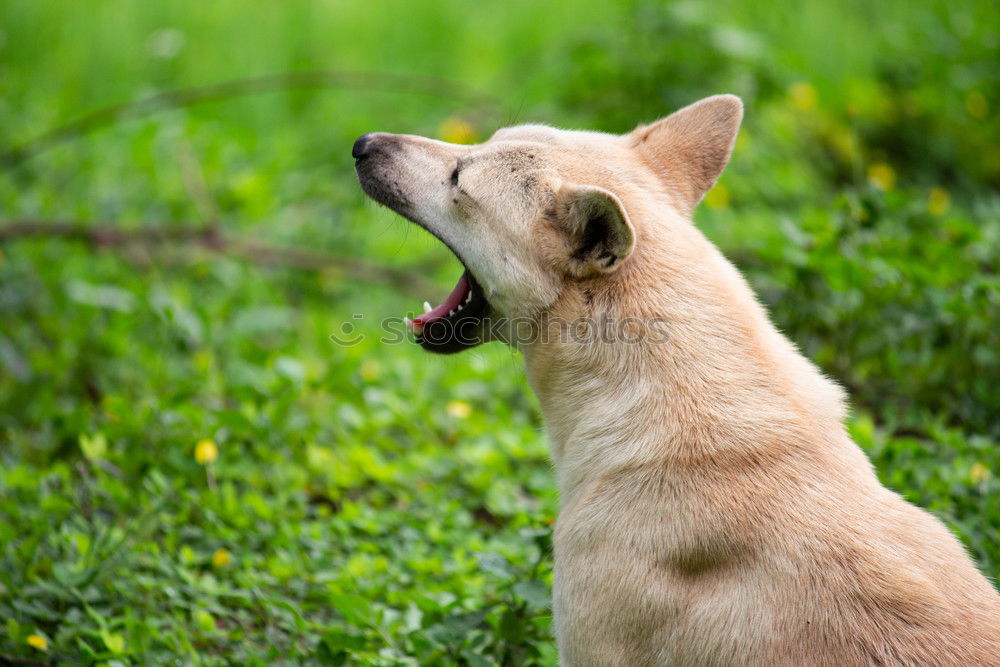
535 210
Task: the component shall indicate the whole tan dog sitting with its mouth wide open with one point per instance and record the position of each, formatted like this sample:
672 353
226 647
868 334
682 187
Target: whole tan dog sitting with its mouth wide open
714 509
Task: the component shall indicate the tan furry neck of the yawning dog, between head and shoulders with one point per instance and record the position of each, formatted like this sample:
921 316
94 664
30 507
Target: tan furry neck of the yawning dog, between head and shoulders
681 365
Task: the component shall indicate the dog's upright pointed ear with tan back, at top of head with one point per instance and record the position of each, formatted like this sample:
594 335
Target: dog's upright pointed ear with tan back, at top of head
689 148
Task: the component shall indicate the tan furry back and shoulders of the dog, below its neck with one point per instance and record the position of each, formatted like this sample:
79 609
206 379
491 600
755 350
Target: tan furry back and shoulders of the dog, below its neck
764 564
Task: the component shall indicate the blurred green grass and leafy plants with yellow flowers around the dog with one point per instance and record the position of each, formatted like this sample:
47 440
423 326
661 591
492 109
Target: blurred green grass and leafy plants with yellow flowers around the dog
191 468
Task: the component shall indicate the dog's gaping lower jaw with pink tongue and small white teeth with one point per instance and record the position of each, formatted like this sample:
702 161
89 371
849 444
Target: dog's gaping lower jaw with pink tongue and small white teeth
456 324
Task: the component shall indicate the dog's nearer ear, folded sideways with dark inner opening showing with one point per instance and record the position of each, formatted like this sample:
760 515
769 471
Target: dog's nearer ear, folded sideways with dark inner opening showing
598 230
